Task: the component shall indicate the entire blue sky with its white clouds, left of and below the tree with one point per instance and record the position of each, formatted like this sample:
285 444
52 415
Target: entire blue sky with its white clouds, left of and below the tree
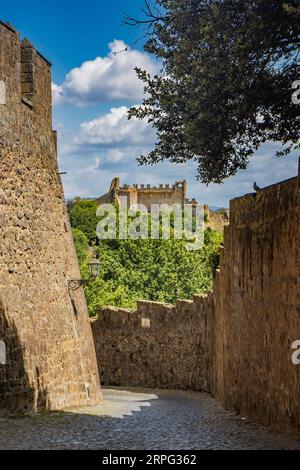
92 89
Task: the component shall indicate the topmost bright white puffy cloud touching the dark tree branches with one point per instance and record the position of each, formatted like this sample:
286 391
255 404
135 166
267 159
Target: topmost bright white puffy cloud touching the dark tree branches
105 79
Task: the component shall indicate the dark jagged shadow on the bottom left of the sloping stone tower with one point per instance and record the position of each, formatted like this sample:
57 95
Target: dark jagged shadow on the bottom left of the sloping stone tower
17 394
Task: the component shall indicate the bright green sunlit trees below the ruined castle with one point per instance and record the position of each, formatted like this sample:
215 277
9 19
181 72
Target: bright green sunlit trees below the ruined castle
131 270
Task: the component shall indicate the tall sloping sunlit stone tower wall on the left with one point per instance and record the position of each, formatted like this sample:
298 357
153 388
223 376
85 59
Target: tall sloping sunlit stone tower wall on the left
50 359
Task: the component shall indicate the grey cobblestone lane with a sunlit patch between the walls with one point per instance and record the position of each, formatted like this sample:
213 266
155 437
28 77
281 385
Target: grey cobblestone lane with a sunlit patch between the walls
145 420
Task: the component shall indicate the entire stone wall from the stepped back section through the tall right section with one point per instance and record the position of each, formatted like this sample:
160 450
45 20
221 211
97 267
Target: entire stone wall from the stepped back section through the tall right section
235 343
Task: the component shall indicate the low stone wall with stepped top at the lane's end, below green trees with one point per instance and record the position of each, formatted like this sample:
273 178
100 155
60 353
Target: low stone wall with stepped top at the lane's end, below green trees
158 345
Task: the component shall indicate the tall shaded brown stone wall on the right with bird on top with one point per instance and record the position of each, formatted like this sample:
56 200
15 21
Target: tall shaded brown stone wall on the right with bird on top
257 307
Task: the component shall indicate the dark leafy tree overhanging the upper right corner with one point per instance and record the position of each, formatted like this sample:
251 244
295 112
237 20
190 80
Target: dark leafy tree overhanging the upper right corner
226 82
